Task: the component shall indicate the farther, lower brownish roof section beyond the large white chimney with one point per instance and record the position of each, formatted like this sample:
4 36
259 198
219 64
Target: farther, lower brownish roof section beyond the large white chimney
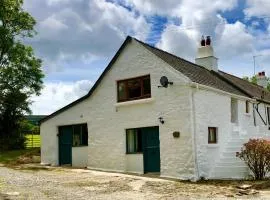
251 89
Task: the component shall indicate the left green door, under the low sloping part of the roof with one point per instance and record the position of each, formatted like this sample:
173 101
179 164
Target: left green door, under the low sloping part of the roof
65 145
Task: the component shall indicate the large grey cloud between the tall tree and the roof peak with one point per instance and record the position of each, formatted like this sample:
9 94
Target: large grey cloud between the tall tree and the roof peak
74 30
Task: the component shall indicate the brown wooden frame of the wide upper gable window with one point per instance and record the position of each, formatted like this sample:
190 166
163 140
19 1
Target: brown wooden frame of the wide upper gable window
125 81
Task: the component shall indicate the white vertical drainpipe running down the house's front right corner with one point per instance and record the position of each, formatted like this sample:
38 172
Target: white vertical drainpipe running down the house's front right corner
193 119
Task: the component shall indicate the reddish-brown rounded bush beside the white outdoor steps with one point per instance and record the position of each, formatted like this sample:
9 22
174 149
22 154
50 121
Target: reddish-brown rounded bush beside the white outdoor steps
256 154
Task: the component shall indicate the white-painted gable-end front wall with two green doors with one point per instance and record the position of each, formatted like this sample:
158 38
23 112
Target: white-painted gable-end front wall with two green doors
107 122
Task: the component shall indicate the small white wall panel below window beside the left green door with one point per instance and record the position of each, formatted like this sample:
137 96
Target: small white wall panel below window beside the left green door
79 156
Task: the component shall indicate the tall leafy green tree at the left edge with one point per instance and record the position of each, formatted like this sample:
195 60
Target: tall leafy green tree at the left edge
20 71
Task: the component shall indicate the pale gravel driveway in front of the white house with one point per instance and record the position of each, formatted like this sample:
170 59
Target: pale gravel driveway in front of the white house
76 184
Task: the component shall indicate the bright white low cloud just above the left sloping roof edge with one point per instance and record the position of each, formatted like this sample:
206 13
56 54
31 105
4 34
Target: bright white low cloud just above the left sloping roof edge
57 95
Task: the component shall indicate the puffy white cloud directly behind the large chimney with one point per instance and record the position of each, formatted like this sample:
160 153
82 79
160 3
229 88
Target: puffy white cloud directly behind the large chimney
183 39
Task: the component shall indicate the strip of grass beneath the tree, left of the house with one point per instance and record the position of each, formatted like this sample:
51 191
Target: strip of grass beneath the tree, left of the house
12 157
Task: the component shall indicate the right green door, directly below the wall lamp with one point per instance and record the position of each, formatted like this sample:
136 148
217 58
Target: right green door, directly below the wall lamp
151 151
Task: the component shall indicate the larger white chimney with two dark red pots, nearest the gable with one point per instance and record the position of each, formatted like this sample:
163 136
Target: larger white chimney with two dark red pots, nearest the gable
205 55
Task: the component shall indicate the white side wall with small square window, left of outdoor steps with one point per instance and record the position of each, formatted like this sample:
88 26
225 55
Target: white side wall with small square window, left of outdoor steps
211 110
